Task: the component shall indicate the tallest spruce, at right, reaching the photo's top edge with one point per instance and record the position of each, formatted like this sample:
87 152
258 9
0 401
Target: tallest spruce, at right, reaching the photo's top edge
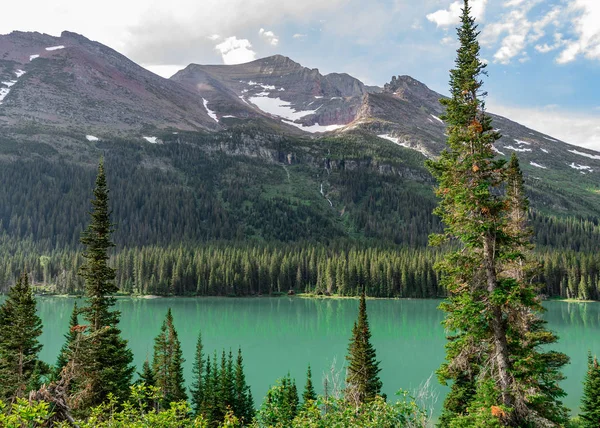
486 297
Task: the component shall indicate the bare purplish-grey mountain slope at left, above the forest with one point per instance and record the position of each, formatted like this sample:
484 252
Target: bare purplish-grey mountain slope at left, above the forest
70 81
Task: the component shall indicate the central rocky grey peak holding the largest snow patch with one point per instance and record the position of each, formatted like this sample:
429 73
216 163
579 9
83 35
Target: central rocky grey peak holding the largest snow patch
280 89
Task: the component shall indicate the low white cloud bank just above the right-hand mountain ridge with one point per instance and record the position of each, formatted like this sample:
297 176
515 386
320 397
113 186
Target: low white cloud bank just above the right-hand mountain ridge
581 129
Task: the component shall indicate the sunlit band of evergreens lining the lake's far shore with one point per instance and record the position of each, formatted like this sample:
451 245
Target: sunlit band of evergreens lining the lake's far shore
222 269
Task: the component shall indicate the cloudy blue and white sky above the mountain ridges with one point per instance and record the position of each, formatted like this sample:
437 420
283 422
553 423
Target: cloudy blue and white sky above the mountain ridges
543 55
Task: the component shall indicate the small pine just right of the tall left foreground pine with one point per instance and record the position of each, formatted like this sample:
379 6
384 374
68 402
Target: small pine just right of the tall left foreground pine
167 364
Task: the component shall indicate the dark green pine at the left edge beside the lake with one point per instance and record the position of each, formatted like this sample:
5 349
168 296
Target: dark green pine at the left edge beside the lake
20 327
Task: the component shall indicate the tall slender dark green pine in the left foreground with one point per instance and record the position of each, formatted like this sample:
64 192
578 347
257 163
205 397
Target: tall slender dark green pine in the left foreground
106 359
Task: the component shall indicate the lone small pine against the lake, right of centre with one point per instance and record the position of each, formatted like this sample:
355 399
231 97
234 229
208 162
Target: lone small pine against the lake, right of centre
362 379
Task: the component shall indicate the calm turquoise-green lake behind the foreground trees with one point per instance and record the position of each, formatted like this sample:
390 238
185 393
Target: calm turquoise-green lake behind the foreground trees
281 335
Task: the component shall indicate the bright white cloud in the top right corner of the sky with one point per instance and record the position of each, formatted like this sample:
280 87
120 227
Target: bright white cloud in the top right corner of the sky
585 24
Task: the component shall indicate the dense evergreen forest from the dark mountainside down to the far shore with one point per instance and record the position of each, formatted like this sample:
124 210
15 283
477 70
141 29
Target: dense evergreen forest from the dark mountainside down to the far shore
242 226
